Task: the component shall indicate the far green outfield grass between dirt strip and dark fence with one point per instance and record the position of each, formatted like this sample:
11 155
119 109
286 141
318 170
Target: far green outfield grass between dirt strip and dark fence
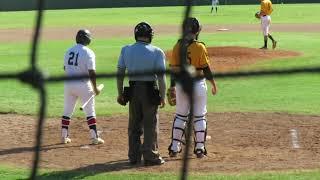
228 14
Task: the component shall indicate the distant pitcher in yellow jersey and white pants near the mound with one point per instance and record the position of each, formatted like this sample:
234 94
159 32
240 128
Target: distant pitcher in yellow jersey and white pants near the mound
265 16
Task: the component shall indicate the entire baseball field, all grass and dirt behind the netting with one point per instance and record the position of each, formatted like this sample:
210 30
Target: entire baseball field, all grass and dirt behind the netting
258 127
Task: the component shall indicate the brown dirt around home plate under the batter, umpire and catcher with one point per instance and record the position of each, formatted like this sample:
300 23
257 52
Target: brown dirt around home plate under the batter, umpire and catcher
239 142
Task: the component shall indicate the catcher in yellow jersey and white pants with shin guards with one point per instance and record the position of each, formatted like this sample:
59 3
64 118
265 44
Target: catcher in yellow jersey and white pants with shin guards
198 57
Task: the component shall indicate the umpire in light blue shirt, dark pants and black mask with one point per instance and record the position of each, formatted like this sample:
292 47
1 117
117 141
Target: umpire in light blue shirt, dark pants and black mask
145 94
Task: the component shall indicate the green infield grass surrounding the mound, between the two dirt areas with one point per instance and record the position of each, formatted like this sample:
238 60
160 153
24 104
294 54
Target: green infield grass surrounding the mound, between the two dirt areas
293 94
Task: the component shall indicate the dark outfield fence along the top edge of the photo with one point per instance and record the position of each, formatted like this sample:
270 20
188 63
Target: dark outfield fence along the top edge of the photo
18 5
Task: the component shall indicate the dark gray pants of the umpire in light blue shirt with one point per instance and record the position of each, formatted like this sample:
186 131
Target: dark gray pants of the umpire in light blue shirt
143 119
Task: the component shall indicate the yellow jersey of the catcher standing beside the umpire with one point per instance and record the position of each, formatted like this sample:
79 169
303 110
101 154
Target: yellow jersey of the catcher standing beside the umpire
197 55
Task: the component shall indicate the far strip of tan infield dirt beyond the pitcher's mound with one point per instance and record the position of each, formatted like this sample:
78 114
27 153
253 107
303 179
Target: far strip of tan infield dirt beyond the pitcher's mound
68 33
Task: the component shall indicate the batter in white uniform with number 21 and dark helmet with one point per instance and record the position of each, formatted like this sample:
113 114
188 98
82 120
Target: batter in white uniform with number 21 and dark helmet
79 60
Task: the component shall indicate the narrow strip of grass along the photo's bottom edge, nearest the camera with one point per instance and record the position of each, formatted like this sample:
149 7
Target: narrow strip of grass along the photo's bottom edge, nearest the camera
10 173
